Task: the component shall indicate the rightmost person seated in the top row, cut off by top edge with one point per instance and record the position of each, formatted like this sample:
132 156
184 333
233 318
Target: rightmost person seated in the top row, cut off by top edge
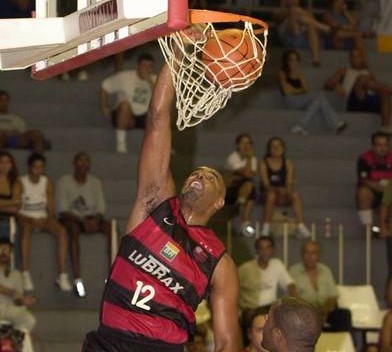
345 33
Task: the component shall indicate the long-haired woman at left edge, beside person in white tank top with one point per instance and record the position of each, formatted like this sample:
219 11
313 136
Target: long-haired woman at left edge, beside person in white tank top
10 192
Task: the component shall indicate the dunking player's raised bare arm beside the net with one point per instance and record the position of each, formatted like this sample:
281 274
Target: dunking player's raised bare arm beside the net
155 182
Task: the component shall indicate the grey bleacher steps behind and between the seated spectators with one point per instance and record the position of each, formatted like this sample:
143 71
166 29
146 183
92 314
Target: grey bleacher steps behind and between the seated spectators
68 113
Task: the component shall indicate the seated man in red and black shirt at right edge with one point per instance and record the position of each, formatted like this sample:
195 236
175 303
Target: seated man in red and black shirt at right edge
374 169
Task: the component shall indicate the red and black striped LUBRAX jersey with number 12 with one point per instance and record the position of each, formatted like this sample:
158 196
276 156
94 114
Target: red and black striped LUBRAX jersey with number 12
160 275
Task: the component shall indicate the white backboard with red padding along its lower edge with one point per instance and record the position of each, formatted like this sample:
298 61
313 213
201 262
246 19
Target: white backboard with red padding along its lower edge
99 28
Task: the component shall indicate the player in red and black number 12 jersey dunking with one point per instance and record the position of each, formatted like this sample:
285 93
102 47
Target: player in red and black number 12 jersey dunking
169 261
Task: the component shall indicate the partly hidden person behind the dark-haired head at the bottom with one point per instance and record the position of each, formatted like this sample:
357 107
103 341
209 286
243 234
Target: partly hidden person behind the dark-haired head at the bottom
255 322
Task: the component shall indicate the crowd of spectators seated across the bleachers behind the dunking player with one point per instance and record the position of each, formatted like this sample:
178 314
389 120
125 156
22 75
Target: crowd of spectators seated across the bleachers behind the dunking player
79 195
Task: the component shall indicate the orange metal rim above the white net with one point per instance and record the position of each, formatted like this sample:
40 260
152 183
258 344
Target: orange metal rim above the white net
207 16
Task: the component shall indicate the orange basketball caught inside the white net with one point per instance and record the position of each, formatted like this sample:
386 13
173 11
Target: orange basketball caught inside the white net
230 59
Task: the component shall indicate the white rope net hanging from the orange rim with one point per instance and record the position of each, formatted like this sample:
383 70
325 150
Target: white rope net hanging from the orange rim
199 95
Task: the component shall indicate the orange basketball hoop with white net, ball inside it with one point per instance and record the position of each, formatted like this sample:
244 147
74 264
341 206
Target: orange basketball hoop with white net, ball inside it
203 82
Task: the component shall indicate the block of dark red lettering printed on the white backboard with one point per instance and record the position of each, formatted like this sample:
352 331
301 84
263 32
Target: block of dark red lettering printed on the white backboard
98 15
